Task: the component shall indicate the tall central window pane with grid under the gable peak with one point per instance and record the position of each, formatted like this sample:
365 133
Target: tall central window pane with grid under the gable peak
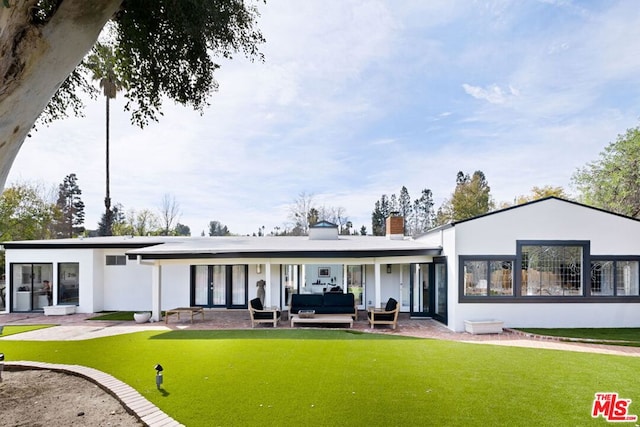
551 270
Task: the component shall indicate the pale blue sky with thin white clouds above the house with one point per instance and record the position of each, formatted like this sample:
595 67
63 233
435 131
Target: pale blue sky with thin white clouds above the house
357 98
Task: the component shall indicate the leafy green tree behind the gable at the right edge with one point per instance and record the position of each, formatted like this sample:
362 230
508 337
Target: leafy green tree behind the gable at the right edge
613 181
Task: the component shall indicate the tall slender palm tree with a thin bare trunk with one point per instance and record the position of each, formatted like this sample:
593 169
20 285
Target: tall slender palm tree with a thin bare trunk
102 64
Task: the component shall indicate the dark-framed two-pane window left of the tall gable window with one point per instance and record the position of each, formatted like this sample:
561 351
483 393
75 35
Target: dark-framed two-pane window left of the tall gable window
488 277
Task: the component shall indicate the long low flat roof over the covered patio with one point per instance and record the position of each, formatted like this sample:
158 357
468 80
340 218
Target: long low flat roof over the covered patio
241 246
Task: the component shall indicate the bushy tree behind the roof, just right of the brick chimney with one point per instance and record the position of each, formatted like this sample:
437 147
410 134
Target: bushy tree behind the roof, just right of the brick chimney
471 197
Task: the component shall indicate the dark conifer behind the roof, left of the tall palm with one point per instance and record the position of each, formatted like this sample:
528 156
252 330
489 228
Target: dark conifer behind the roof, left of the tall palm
70 208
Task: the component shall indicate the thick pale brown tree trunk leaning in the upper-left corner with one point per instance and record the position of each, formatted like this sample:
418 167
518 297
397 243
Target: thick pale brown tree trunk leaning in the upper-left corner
35 59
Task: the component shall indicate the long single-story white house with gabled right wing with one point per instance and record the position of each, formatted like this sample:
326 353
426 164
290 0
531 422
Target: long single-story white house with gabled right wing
548 263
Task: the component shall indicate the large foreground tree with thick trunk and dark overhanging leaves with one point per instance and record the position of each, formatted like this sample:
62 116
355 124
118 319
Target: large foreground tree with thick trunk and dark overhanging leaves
163 48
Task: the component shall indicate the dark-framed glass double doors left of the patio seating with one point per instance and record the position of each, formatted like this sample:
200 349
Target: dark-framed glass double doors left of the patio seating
222 286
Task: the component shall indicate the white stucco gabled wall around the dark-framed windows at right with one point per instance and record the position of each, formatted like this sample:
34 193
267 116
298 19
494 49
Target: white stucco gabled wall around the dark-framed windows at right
548 220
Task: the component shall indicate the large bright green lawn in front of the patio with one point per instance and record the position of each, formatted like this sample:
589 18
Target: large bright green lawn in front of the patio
348 378
